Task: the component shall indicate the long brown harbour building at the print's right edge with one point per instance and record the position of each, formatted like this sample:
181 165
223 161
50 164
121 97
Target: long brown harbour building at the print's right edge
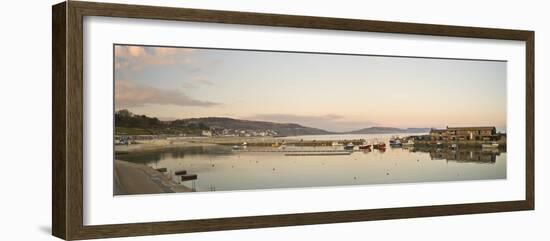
485 133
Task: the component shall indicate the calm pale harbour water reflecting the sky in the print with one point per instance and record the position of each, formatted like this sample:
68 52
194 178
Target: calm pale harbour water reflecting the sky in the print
220 168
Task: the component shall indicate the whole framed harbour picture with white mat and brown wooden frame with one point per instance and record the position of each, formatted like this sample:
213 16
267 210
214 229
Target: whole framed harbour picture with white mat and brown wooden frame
172 120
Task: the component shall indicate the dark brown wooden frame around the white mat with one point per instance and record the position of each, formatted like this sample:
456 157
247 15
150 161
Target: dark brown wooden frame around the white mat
67 100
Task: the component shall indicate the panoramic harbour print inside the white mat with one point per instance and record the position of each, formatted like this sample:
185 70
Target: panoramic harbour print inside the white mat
203 120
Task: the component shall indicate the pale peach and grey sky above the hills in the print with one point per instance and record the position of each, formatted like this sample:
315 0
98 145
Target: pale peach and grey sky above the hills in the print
334 92
